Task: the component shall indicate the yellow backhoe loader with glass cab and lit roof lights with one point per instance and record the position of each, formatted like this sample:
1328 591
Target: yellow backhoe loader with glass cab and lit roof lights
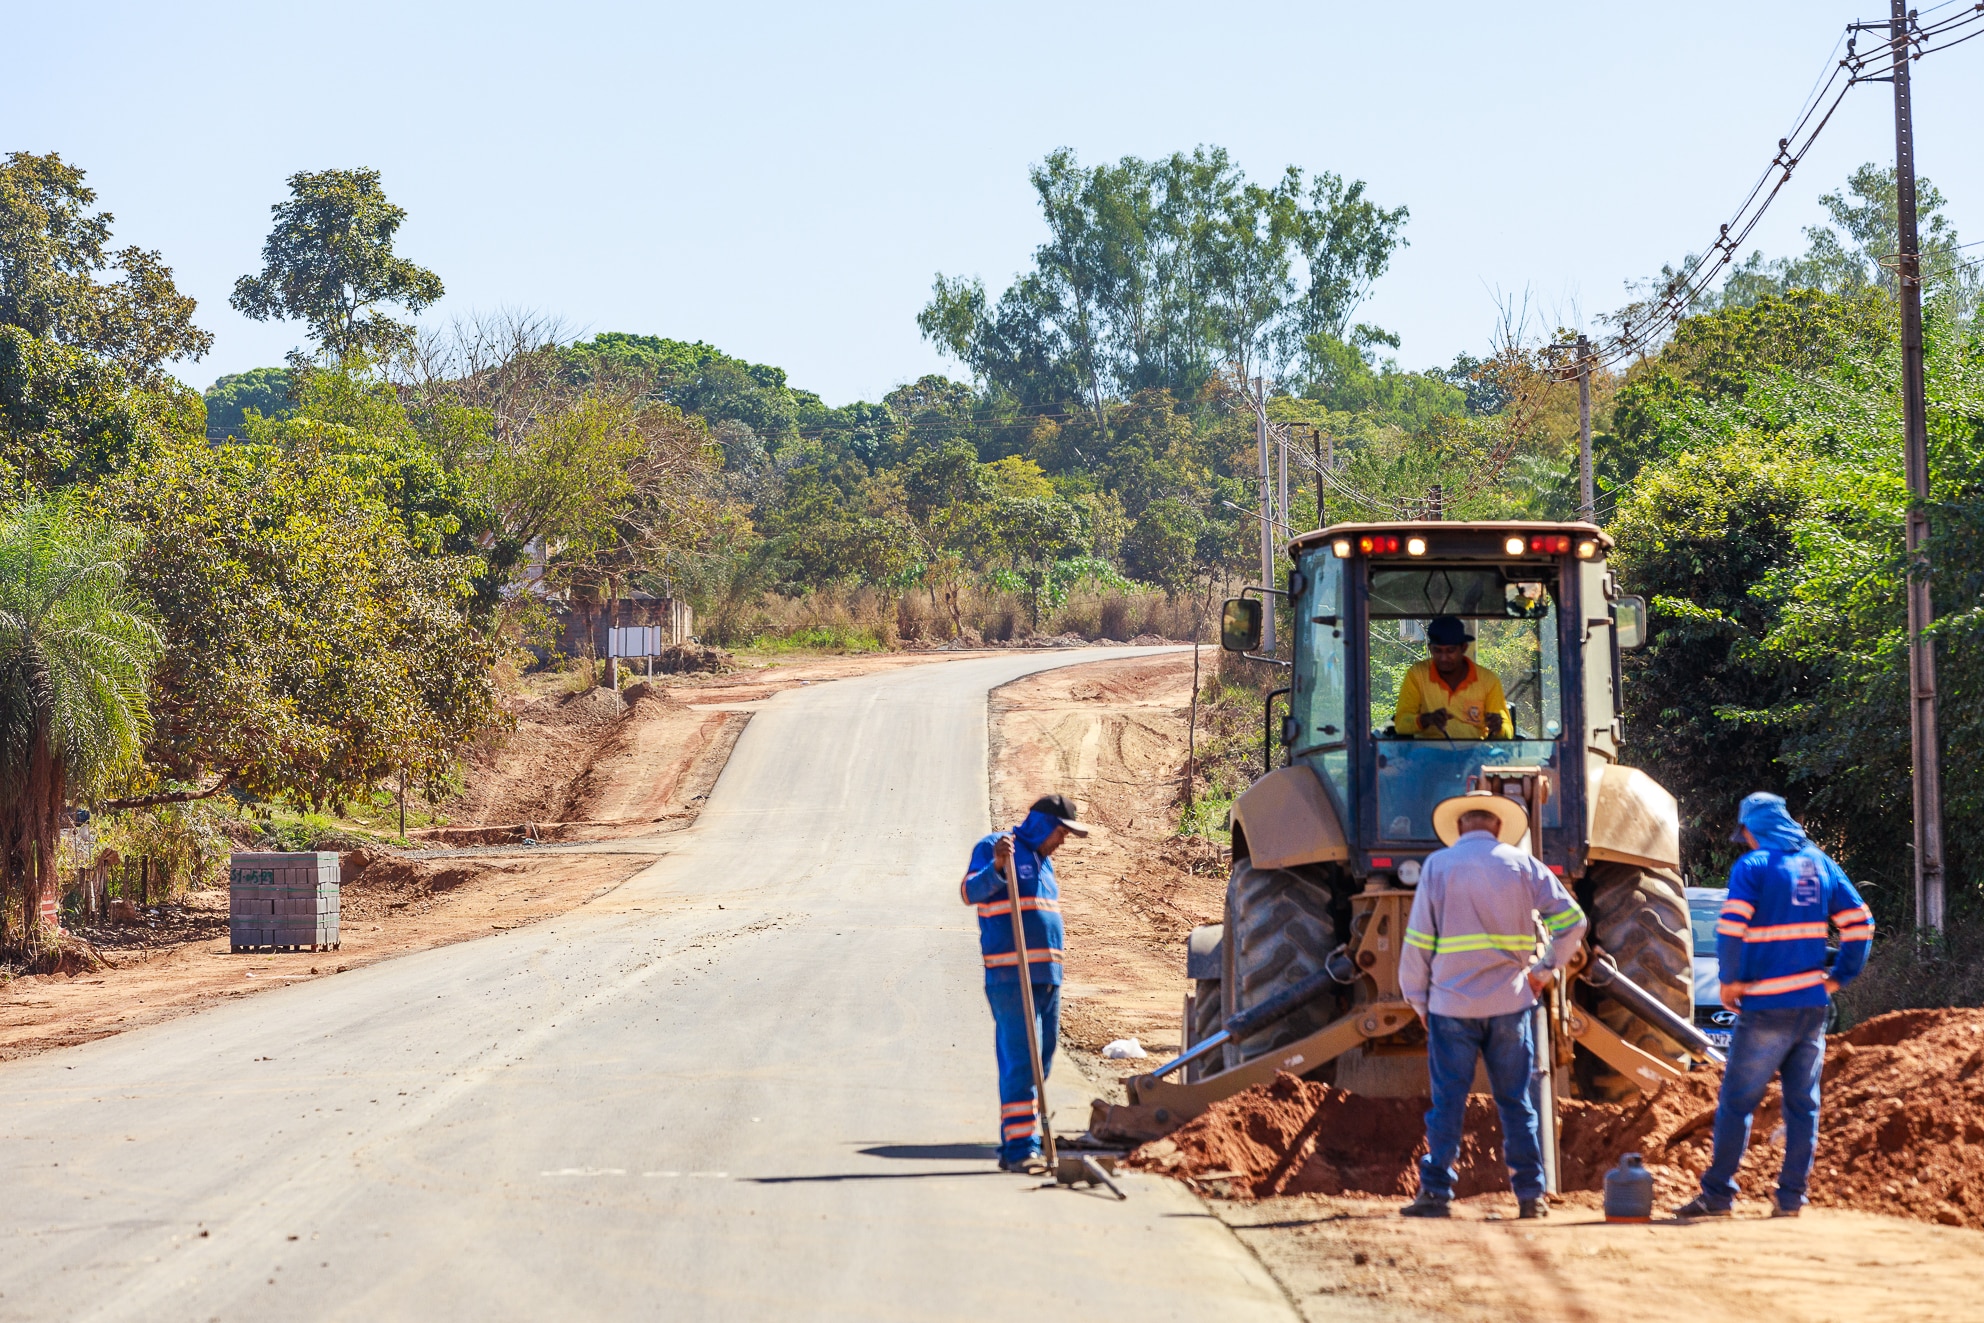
1302 975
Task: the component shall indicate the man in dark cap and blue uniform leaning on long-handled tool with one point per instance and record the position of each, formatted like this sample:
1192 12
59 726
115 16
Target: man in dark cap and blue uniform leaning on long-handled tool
1029 848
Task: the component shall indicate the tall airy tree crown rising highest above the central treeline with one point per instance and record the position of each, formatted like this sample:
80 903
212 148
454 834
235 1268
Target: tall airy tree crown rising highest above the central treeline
1160 273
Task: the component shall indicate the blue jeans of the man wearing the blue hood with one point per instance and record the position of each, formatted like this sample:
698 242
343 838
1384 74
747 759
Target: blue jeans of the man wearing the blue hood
1791 1046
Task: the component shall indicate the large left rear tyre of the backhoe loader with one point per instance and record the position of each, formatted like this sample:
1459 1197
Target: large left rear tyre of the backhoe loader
1279 931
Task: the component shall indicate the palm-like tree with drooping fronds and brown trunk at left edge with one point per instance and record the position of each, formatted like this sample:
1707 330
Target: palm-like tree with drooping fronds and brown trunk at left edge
76 652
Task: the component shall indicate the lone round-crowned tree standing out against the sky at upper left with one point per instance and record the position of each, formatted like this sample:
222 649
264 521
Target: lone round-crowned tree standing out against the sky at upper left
330 265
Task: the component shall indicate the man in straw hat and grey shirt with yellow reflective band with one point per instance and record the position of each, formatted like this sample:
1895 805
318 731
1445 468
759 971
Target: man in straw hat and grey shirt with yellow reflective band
1473 973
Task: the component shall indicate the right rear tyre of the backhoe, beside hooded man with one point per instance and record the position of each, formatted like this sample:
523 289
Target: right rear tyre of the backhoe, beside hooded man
1642 919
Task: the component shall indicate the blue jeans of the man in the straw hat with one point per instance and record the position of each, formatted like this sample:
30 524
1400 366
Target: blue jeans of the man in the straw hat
1507 1046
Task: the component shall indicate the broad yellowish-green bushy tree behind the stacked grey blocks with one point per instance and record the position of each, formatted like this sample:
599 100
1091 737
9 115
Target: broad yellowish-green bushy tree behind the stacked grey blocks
310 650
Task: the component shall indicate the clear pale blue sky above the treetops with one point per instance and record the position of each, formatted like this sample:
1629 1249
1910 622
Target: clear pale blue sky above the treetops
787 180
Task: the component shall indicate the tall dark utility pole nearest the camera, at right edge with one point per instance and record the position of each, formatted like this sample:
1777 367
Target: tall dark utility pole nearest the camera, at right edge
1916 449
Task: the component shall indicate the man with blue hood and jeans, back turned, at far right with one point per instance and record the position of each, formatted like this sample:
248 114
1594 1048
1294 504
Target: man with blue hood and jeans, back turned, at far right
1771 943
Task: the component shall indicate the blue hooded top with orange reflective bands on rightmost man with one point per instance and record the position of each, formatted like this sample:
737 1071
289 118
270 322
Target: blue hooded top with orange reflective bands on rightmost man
1773 931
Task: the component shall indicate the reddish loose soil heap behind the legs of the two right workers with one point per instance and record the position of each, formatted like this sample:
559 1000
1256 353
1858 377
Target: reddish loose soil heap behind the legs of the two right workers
1902 1132
